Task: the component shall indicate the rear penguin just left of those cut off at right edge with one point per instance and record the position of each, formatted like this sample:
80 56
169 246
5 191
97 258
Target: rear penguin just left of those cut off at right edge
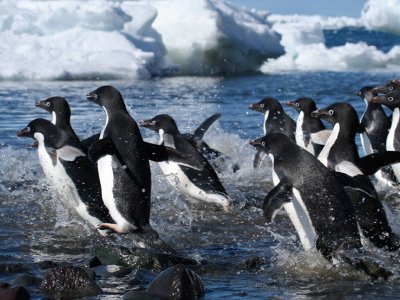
373 130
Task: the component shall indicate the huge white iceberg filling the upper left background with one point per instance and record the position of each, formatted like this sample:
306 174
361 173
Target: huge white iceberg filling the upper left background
130 39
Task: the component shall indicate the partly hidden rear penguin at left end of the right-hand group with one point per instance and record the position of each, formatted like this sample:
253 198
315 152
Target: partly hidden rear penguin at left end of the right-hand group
275 120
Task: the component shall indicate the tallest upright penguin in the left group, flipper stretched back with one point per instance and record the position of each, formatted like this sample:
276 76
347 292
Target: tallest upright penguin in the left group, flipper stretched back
123 165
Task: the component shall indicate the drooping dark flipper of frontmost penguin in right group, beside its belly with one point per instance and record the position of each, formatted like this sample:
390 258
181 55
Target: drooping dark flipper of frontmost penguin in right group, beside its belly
275 199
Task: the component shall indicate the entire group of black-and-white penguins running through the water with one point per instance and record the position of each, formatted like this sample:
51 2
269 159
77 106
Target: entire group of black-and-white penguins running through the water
324 185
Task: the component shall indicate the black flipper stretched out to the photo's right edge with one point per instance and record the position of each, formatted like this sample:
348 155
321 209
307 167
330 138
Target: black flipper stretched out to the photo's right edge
371 163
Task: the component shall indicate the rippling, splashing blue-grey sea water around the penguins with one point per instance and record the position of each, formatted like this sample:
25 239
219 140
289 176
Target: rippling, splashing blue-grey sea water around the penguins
247 259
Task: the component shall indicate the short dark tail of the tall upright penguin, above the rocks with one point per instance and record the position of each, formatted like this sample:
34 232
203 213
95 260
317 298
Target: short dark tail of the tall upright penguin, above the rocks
148 238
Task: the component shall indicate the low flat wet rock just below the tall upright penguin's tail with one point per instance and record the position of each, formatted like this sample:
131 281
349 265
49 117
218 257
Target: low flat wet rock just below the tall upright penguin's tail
140 258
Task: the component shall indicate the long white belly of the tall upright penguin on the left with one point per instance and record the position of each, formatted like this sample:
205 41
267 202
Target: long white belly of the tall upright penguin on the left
106 176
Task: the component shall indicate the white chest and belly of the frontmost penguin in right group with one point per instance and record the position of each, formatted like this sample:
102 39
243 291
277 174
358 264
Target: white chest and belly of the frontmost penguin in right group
298 215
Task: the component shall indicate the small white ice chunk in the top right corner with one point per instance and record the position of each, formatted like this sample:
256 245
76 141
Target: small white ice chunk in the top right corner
382 15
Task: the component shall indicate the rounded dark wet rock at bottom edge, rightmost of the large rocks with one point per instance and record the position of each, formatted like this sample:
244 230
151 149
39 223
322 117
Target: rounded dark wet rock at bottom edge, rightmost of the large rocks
177 282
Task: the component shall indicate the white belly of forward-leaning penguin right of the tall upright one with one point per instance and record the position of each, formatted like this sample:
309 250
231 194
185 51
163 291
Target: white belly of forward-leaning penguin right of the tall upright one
182 183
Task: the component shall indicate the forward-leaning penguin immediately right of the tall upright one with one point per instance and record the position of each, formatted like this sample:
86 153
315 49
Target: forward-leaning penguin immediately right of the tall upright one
202 185
